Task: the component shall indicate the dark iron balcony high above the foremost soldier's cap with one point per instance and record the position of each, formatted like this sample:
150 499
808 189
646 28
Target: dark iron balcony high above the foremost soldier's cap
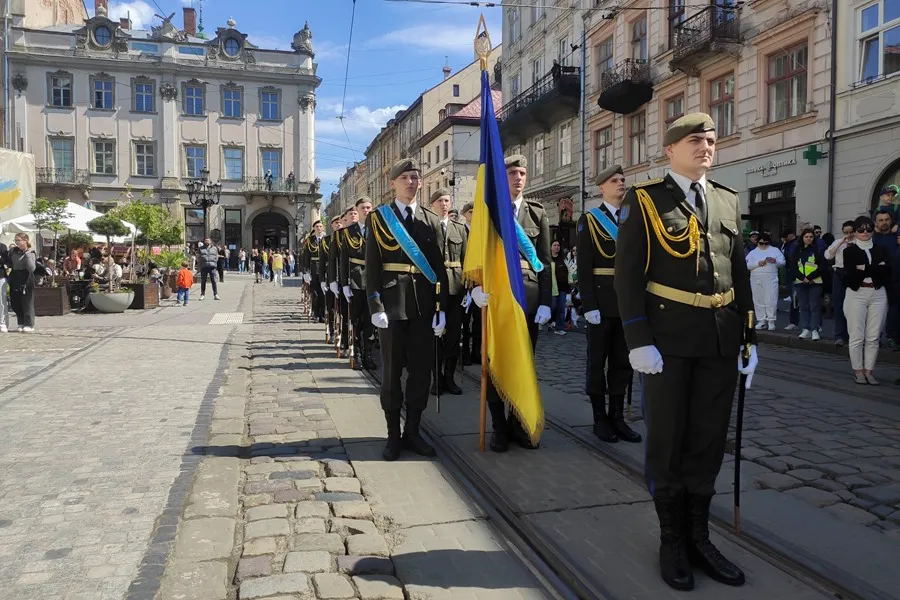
714 30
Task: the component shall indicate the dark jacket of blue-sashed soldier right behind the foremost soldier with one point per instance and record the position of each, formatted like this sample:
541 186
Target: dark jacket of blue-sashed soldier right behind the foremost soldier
596 252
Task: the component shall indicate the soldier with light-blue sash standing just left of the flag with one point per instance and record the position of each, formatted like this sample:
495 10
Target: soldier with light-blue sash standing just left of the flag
402 302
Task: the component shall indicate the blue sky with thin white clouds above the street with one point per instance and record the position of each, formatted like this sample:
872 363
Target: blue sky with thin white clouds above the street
397 52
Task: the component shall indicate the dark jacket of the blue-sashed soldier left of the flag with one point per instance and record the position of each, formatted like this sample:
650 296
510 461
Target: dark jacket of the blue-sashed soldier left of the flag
404 295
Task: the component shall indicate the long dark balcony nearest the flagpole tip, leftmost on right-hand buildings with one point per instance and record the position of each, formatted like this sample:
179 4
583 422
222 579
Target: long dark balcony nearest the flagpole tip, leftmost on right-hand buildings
552 99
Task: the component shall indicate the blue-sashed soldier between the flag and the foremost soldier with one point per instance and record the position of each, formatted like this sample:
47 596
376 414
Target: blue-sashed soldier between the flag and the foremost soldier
608 369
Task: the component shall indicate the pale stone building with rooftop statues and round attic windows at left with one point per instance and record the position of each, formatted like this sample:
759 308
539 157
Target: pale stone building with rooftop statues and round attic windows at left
107 109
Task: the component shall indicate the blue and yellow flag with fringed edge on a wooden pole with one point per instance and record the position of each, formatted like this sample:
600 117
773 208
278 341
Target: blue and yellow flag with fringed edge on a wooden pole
492 260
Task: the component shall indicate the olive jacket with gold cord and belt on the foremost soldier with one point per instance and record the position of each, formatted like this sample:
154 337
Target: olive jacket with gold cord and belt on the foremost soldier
675 328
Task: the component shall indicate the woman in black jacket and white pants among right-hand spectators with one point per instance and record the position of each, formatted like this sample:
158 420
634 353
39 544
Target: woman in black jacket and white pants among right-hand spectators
867 269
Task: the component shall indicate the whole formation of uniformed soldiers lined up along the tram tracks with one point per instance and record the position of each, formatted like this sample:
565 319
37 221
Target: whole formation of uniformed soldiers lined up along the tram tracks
665 291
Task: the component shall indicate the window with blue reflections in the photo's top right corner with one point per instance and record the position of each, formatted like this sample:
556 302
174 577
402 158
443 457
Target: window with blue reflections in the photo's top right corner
879 30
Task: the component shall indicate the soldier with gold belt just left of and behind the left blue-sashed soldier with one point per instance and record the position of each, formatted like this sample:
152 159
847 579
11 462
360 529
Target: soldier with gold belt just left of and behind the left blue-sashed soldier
353 284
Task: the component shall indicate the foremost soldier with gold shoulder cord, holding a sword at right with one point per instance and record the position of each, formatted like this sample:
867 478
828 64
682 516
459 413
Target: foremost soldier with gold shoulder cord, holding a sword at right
684 296
